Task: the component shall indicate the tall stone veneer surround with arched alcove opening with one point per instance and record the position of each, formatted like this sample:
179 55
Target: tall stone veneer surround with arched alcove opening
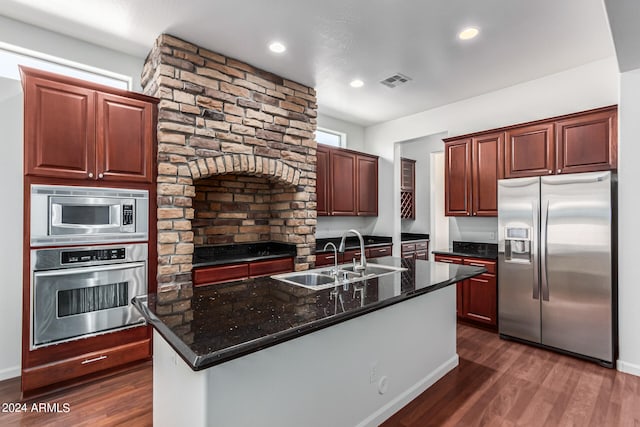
219 116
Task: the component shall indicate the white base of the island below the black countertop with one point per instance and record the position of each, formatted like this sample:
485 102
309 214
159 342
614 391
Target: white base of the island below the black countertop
358 372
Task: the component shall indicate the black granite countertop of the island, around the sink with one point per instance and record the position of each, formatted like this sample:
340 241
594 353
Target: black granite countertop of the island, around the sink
212 324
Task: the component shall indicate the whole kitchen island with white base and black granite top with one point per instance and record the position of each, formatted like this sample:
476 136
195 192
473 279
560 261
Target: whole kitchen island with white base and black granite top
263 352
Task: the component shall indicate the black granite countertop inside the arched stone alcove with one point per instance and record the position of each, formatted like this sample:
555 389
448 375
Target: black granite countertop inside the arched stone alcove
226 254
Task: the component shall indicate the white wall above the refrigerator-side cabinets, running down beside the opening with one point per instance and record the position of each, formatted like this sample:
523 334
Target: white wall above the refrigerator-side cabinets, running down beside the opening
588 86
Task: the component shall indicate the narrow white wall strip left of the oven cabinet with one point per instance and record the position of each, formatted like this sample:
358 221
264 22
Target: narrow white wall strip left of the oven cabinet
11 219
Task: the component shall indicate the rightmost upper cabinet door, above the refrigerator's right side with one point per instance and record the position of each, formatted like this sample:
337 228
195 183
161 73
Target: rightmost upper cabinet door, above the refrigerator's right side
588 143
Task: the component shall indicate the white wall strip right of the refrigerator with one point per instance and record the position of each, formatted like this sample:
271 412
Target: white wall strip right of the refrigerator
628 225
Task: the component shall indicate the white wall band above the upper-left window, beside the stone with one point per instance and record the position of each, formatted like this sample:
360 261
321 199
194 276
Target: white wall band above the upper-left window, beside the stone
40 40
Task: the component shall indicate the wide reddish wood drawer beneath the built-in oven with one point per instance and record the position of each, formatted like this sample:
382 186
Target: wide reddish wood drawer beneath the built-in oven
41 376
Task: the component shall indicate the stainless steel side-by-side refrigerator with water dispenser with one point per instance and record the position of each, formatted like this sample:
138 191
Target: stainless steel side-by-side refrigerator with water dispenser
557 264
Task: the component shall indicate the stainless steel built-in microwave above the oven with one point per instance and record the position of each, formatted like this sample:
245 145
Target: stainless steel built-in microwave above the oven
65 215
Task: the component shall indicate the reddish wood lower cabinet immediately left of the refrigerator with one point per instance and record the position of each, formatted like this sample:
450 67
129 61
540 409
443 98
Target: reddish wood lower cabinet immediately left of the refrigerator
477 298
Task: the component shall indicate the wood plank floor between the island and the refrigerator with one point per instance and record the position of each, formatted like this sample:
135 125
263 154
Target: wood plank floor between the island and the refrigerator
504 383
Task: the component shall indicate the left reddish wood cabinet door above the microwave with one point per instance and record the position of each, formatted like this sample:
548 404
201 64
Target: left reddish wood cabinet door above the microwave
59 129
